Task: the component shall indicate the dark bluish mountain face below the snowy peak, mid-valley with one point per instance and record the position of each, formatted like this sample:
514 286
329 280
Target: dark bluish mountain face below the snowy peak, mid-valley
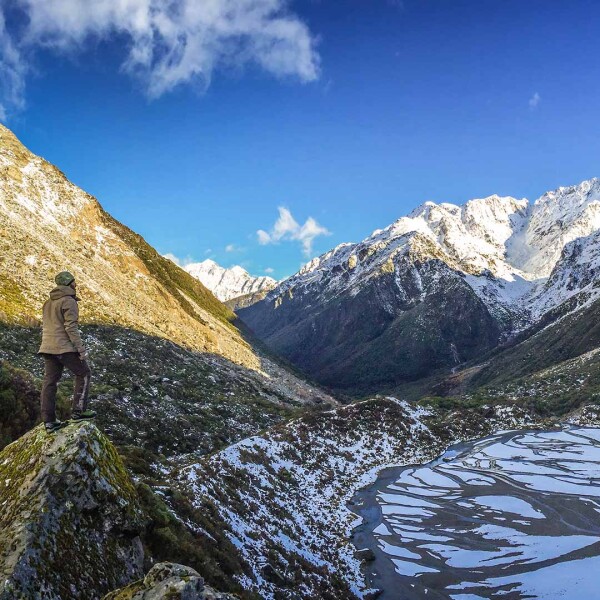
414 318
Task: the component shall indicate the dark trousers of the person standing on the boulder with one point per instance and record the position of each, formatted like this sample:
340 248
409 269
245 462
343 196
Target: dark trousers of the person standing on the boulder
54 366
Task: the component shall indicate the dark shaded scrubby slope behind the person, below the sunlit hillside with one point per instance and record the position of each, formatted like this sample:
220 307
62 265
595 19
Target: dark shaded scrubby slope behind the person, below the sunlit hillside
156 401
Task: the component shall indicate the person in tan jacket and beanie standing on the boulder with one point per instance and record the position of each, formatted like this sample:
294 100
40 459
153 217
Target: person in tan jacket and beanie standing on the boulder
62 347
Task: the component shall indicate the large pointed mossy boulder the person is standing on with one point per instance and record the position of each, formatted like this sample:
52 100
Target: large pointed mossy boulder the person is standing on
69 517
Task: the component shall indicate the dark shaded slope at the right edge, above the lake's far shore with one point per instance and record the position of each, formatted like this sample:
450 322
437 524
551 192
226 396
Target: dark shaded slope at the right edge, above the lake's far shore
552 370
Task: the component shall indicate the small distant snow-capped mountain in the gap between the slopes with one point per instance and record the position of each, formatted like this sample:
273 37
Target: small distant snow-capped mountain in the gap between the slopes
227 284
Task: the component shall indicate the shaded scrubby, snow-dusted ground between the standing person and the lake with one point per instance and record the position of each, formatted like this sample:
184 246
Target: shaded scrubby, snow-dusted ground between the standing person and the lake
240 478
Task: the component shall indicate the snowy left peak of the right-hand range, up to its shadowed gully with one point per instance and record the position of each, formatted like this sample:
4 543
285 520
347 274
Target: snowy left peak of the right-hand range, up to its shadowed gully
473 238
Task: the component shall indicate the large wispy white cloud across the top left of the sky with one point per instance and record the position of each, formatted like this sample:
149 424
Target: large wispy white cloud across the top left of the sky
168 42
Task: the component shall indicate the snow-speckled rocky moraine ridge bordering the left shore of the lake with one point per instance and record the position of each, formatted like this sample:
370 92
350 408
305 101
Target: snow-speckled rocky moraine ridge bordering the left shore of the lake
284 494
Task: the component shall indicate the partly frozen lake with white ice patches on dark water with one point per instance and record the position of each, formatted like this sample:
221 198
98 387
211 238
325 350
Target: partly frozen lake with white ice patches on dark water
512 516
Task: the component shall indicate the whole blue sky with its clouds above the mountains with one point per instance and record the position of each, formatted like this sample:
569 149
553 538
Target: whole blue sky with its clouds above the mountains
348 113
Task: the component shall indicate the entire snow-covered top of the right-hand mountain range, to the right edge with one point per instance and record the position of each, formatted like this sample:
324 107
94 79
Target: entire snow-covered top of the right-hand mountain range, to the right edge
506 247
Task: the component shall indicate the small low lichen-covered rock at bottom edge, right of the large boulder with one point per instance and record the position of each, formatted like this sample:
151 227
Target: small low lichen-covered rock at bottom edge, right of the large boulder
169 580
